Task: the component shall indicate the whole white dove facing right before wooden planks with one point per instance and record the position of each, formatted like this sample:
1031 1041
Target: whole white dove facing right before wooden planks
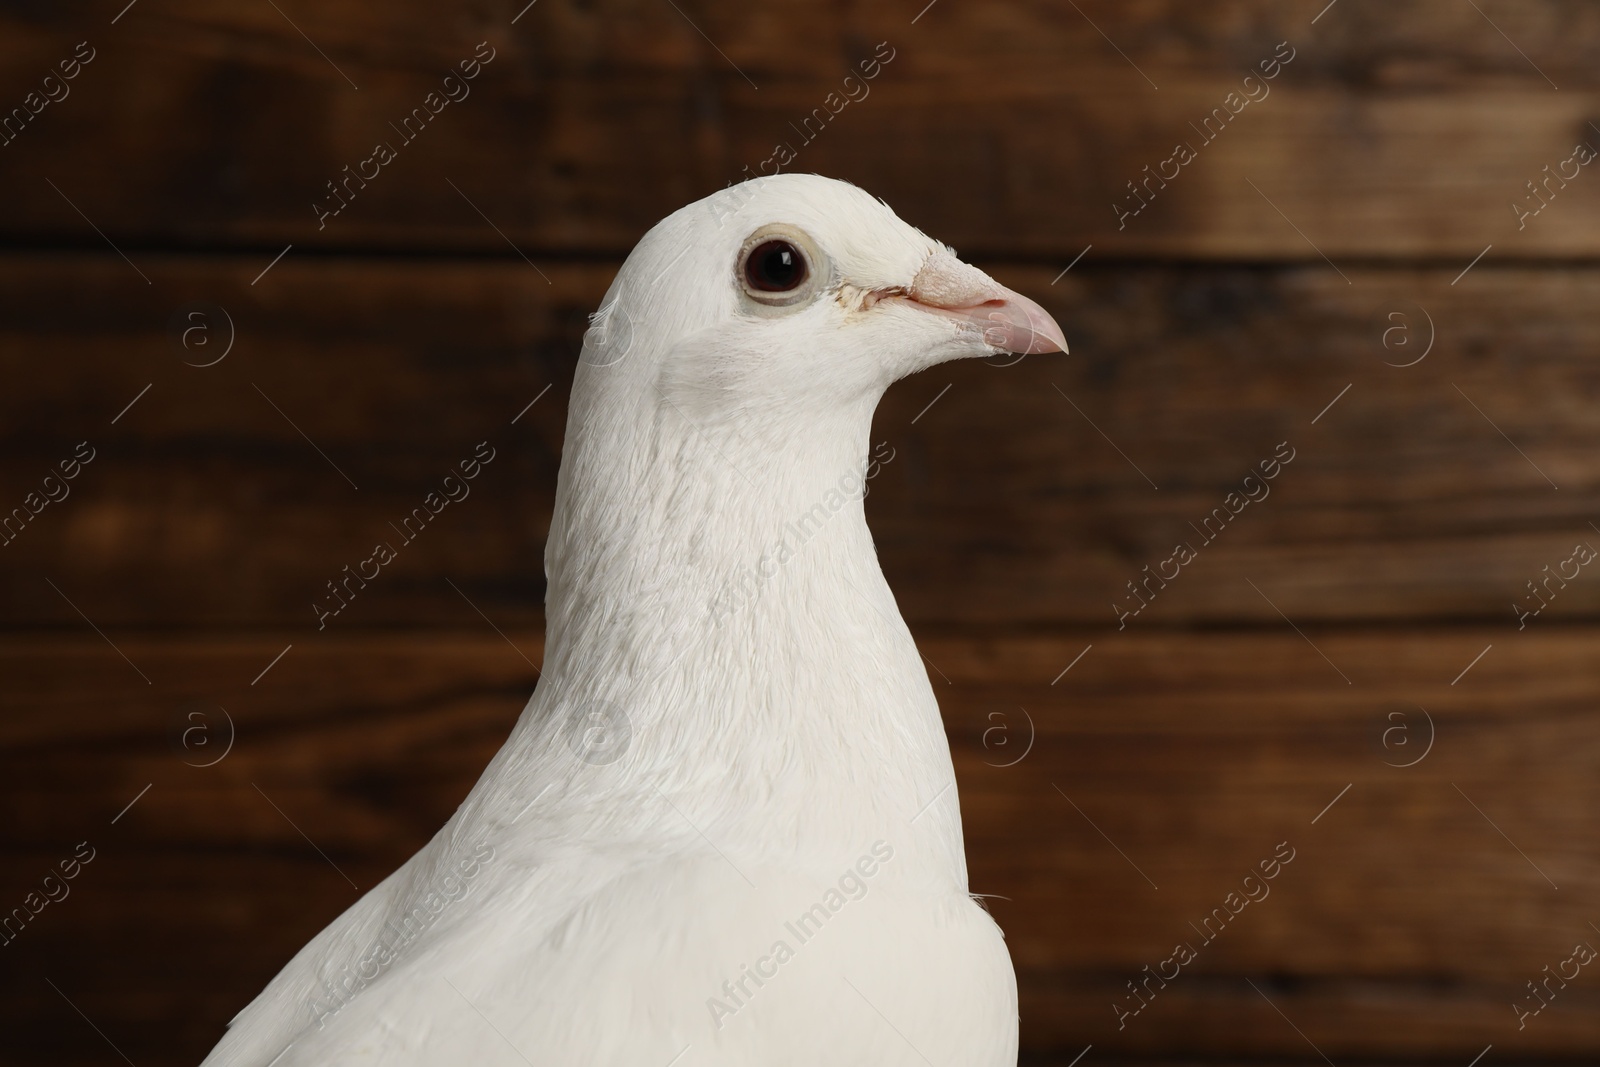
726 829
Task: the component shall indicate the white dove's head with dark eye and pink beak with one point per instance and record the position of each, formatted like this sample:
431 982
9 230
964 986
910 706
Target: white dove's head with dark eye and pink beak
798 292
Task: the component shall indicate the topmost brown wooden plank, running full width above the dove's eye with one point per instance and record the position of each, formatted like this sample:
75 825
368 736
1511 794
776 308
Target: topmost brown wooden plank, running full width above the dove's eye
1004 130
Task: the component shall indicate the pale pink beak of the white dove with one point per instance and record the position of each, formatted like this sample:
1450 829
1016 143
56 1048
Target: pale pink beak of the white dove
1004 319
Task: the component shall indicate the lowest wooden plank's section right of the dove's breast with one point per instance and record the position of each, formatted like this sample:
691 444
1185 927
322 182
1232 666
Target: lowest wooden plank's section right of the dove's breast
1196 756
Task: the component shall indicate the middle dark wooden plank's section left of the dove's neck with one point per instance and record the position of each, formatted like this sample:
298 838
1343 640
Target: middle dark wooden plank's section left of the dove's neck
409 399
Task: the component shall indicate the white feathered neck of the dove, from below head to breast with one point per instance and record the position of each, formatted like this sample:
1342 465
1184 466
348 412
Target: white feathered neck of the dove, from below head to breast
721 588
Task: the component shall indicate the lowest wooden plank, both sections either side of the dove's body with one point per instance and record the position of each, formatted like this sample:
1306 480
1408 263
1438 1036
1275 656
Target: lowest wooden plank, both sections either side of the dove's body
1406 924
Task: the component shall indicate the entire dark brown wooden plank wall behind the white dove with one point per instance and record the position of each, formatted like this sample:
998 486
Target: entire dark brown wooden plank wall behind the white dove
1330 633
